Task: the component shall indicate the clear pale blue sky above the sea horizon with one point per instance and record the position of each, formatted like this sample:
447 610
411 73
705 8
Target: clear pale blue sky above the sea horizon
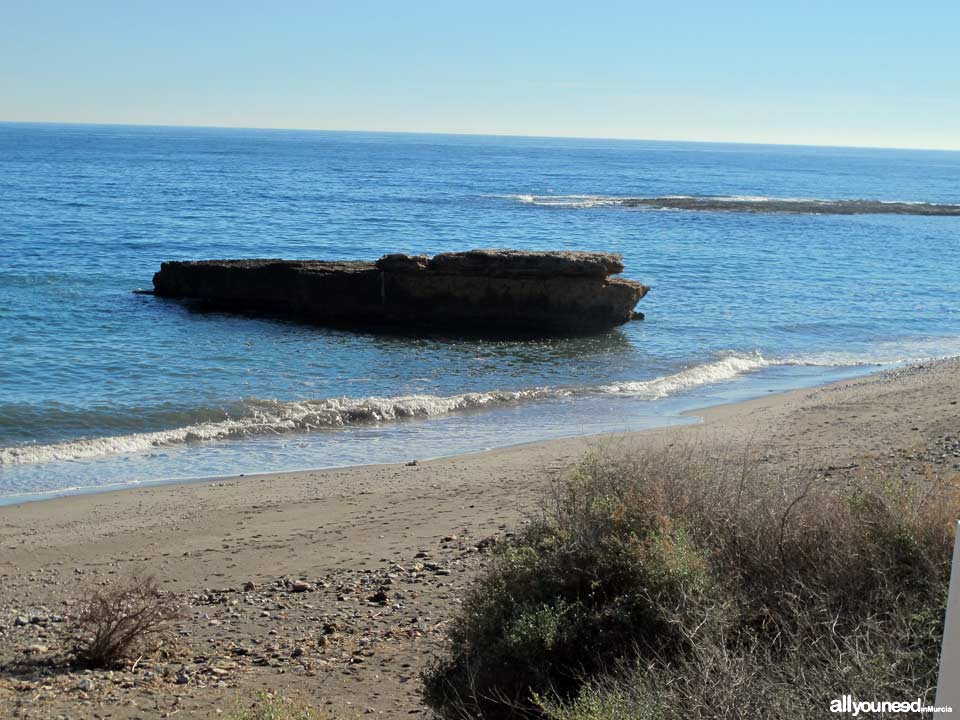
836 73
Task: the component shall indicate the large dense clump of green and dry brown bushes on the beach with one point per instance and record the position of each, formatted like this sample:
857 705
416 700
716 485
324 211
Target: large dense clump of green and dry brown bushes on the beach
685 583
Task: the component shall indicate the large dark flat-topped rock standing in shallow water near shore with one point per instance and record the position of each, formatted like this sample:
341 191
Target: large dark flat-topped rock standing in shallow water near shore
492 291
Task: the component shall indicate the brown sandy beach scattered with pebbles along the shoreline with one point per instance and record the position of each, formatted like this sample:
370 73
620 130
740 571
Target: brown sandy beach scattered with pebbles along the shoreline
351 532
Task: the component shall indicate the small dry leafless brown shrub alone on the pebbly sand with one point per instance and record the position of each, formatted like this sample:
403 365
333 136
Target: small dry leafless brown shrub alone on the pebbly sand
123 619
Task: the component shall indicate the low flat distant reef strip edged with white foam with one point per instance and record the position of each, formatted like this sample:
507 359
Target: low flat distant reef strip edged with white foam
745 203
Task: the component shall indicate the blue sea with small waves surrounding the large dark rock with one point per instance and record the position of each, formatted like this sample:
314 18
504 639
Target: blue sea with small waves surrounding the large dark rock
100 386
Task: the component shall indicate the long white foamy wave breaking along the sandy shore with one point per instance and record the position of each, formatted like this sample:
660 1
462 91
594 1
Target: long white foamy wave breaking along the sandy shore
269 417
